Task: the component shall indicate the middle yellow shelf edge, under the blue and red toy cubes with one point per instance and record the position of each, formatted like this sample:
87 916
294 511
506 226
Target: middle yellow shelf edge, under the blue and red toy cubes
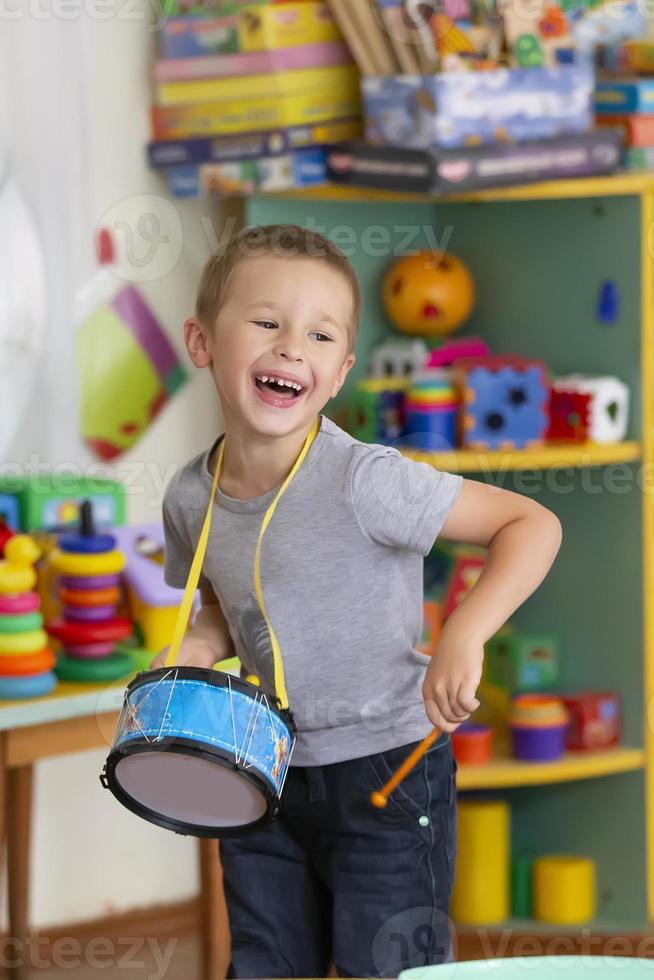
543 458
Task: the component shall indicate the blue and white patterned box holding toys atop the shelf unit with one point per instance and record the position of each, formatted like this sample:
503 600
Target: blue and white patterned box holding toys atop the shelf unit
455 109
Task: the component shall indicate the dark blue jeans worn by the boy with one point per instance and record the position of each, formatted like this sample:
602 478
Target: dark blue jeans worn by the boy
334 880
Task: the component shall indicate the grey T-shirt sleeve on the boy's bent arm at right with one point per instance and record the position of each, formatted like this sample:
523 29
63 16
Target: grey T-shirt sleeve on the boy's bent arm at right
400 502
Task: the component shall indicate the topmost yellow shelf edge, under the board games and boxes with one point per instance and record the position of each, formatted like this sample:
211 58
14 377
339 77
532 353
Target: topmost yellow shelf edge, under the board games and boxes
611 185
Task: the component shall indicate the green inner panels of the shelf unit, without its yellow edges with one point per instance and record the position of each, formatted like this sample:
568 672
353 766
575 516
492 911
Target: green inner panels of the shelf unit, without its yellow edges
538 269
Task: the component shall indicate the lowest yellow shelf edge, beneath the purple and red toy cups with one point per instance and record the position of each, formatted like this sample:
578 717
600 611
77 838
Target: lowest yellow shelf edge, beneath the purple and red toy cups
504 773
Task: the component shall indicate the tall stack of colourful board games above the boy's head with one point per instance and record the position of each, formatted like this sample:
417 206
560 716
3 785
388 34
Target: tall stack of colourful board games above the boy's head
247 94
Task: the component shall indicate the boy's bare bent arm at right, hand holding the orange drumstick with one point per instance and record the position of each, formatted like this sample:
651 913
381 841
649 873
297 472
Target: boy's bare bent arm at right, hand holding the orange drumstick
523 539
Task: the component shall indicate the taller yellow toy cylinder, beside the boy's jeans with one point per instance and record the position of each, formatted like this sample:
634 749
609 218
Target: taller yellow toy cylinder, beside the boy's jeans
481 893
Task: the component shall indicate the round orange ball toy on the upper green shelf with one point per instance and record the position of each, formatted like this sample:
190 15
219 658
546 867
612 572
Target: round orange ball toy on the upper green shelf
428 295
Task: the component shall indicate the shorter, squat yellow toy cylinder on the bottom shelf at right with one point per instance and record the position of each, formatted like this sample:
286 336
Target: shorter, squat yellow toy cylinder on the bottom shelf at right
564 889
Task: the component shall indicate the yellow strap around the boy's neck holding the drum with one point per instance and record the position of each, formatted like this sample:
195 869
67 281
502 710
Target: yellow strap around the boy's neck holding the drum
190 588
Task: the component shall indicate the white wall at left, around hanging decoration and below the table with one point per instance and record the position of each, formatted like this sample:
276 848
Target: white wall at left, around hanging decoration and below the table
74 97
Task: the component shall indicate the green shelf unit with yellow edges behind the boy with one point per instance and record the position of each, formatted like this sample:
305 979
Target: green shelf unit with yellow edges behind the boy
538 254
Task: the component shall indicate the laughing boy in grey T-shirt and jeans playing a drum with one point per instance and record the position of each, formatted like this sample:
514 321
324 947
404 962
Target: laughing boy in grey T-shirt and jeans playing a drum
333 880
